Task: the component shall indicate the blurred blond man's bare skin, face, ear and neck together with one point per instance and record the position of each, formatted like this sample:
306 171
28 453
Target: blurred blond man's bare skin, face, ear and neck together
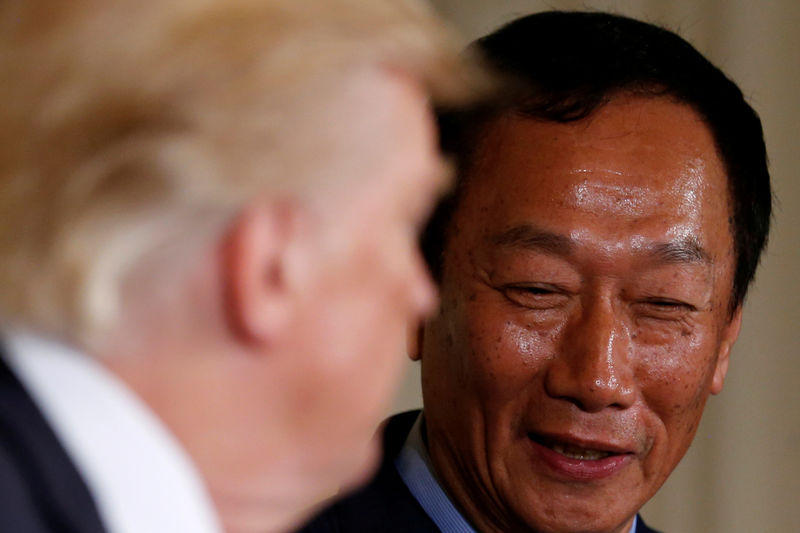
281 348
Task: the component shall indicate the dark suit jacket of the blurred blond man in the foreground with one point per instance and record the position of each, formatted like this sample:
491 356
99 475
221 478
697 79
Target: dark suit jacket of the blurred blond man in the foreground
41 491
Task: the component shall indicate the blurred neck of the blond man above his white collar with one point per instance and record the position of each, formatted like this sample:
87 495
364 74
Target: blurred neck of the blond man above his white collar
257 475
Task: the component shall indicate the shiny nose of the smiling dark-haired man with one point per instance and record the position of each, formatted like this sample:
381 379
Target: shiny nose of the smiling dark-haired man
592 367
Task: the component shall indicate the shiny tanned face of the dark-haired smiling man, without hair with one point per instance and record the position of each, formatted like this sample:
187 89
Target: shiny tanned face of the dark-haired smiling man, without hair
584 316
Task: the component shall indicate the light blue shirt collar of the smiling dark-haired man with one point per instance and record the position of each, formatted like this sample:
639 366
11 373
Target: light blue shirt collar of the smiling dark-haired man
416 470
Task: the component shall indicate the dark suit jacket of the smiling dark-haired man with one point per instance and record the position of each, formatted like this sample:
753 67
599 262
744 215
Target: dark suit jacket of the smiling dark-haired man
386 505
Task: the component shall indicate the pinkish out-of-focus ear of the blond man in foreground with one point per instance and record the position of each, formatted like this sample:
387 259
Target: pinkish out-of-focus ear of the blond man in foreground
257 293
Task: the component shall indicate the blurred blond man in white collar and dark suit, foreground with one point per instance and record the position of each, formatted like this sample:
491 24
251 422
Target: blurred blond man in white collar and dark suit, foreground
208 214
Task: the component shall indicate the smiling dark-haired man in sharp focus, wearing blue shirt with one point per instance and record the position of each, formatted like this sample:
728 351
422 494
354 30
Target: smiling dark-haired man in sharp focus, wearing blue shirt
592 263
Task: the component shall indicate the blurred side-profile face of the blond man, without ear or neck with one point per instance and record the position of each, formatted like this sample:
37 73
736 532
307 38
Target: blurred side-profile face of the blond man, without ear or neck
369 281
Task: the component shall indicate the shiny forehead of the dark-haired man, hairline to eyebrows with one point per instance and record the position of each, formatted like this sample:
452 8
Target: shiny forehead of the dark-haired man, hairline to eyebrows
639 171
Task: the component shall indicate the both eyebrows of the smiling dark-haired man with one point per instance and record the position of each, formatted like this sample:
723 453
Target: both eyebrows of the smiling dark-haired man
530 237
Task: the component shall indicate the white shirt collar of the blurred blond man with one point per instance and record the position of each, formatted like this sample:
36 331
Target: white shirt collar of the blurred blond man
140 477
